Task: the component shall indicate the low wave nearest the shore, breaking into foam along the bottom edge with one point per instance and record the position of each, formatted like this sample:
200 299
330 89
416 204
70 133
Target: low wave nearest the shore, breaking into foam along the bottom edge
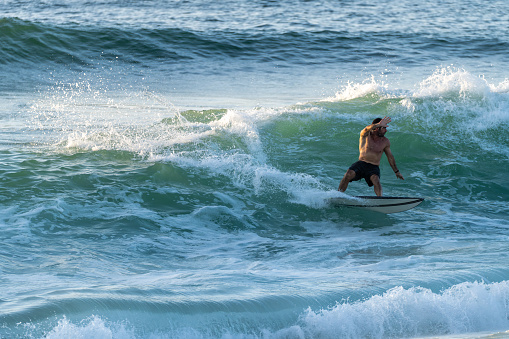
474 310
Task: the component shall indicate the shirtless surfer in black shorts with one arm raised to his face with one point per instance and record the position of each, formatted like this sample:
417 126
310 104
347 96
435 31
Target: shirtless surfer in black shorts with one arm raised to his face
372 144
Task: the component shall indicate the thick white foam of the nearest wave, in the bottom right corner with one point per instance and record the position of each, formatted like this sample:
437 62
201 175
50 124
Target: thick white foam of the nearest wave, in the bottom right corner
400 312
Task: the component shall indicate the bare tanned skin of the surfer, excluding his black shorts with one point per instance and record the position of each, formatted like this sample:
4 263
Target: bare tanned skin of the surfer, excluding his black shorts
372 144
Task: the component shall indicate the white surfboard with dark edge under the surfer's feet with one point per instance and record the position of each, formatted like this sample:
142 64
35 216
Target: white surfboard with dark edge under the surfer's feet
379 204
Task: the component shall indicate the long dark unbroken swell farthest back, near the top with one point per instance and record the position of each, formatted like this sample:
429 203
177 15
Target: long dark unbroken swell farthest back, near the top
32 42
